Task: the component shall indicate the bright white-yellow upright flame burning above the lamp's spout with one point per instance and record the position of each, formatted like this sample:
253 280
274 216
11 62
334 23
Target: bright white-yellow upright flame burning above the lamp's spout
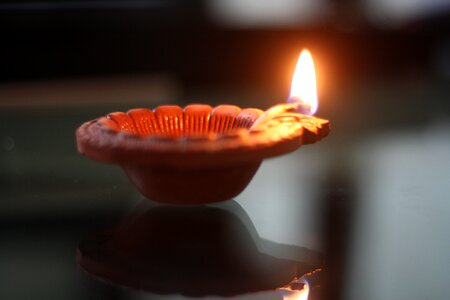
303 86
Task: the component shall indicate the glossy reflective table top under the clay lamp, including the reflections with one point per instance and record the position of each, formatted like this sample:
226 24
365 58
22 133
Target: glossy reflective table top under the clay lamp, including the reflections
364 214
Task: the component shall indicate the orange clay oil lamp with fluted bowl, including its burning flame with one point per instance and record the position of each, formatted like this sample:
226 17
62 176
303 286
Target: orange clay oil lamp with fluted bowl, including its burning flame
202 154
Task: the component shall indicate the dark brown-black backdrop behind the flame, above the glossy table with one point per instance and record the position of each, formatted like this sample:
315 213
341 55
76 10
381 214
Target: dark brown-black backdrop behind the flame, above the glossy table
53 40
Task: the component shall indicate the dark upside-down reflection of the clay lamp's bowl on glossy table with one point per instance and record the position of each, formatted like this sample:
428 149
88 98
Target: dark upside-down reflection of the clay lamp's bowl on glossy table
194 251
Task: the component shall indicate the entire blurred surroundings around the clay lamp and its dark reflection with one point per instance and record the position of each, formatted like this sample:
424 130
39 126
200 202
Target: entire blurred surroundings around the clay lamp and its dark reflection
373 197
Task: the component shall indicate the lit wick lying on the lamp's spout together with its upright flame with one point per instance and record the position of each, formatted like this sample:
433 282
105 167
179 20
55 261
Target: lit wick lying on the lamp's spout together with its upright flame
303 97
